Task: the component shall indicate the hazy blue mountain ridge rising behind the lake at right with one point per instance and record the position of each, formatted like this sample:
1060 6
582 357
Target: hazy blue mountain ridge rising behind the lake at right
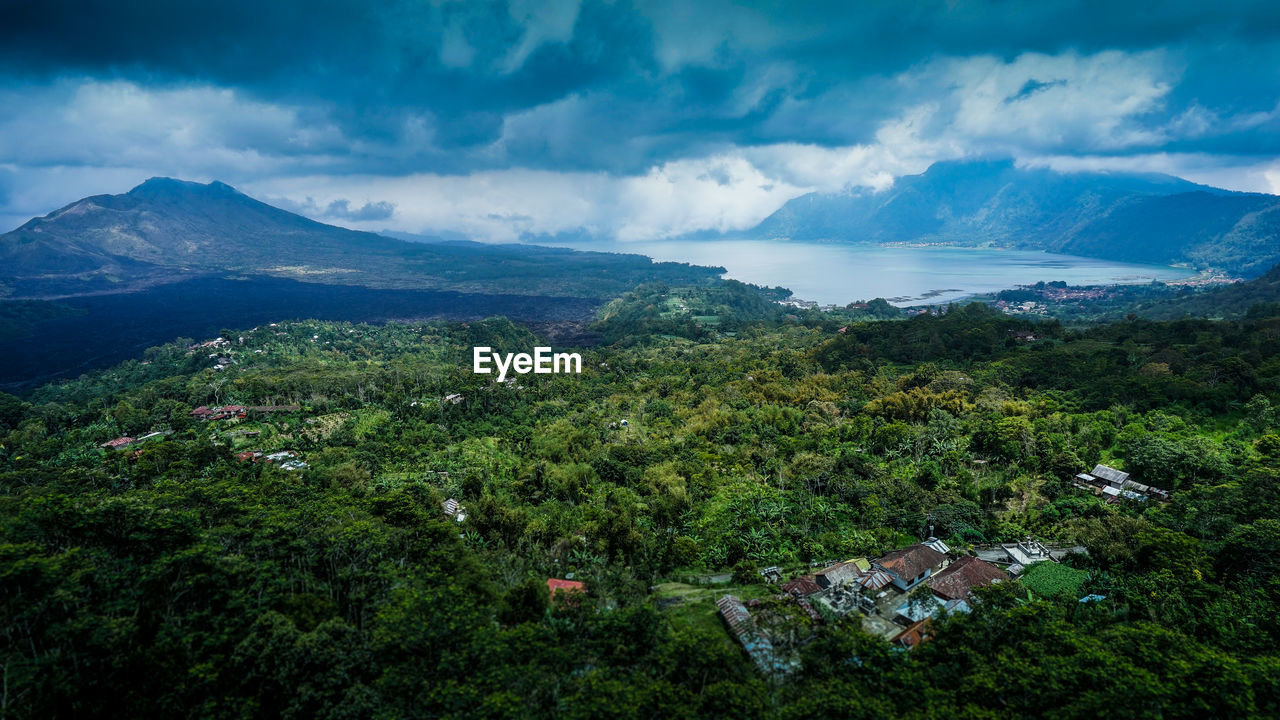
1145 218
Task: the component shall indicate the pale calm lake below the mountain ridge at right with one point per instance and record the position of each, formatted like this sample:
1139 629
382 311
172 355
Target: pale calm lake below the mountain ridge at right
906 276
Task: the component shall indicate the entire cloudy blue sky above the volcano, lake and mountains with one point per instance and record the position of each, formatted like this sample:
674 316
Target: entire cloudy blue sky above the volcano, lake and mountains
634 121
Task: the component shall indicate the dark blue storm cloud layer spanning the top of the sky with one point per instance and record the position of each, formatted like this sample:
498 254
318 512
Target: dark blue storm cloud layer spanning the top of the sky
643 83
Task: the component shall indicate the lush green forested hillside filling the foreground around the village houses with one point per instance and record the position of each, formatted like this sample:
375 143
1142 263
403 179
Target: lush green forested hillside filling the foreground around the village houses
185 576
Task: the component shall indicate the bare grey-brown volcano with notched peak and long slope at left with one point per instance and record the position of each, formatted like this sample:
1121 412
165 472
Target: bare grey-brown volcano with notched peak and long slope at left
167 230
